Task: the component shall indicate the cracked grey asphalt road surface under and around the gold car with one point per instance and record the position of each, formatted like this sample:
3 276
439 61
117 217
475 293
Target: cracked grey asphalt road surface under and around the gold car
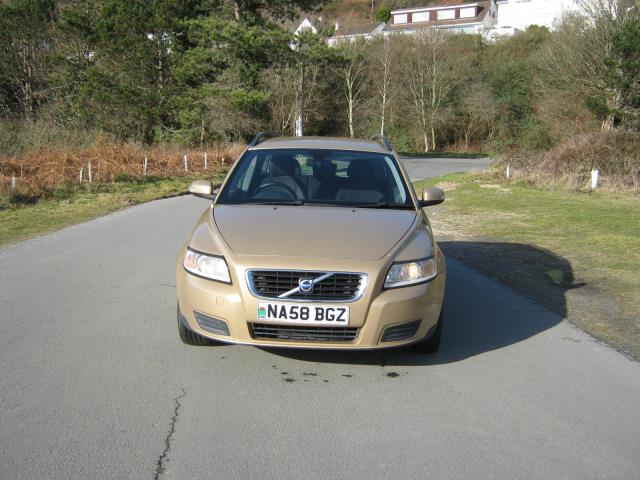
95 383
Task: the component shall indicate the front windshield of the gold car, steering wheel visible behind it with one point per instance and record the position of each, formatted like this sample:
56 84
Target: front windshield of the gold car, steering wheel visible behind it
314 176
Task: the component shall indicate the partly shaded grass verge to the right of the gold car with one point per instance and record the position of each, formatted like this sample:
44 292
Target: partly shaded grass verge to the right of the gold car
576 253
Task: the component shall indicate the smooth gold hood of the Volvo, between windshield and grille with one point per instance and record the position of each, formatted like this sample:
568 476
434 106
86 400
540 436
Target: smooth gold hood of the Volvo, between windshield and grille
307 231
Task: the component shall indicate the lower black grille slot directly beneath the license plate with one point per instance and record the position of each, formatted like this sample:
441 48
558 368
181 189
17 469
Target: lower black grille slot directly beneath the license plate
305 334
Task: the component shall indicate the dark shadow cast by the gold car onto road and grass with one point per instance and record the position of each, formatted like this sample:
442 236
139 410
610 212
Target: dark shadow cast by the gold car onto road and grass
481 314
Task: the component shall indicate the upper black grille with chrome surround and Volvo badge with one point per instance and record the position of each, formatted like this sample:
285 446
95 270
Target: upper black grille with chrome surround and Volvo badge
339 286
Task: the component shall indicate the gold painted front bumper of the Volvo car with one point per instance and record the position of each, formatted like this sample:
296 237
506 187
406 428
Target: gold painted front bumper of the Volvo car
371 314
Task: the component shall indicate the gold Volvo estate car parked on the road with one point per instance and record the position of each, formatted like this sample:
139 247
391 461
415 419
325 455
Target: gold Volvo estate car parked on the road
313 242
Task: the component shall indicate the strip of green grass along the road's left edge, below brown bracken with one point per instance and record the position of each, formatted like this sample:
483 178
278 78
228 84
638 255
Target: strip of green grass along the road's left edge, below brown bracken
71 204
